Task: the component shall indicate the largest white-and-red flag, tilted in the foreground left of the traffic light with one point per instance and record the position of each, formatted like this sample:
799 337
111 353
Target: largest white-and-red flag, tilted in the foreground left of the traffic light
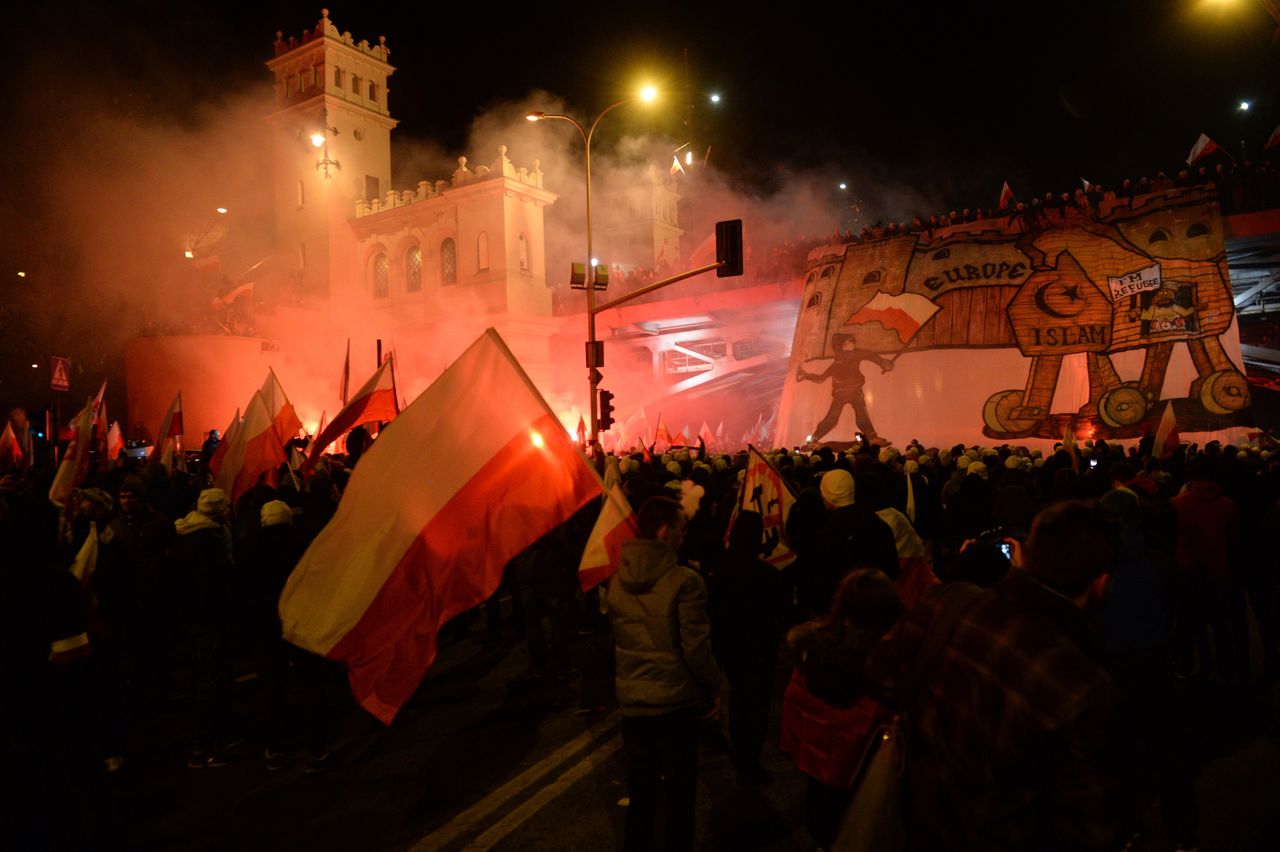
469 475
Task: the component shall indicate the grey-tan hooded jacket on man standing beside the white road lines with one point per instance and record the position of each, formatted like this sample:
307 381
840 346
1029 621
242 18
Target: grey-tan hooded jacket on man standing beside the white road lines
659 610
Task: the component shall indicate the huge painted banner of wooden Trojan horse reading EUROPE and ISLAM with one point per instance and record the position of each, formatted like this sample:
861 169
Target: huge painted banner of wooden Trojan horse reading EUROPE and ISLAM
1022 328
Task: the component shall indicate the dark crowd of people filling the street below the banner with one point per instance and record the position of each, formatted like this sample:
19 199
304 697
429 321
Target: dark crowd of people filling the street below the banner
1080 588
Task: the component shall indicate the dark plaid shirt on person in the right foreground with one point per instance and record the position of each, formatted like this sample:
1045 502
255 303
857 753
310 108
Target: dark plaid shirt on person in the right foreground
1011 735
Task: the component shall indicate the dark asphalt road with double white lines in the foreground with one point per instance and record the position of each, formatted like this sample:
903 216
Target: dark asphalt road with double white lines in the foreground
487 758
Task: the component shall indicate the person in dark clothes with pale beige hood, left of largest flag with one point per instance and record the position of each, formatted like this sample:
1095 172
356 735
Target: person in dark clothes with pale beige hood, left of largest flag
203 570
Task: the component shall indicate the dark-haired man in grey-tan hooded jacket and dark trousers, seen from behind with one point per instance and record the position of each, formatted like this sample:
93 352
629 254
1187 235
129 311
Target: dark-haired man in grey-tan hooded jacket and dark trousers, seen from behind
668 677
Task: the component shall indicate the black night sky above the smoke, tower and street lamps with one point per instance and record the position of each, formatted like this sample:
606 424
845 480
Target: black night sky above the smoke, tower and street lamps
950 99
